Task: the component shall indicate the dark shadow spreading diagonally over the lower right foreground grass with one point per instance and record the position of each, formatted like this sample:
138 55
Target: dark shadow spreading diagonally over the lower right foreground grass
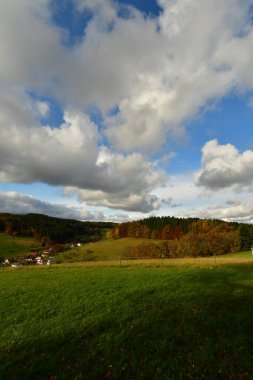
200 327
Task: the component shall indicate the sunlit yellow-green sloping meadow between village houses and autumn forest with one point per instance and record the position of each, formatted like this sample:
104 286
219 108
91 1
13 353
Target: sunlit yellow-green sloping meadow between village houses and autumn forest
102 250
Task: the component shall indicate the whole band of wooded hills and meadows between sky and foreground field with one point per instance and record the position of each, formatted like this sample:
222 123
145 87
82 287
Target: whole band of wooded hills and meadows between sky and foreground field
155 237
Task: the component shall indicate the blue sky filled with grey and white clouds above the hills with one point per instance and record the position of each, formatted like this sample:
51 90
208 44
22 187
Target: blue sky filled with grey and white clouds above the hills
119 110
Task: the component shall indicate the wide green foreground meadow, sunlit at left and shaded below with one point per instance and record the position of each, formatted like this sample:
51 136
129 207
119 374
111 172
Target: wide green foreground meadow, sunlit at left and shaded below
187 322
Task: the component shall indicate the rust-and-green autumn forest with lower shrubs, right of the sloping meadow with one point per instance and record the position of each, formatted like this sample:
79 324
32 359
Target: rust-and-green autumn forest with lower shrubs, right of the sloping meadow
185 236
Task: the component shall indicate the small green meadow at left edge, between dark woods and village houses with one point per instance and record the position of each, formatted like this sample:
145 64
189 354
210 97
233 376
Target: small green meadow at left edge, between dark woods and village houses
18 246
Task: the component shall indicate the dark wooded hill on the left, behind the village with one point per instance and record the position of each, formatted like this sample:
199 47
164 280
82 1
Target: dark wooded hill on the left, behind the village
57 230
